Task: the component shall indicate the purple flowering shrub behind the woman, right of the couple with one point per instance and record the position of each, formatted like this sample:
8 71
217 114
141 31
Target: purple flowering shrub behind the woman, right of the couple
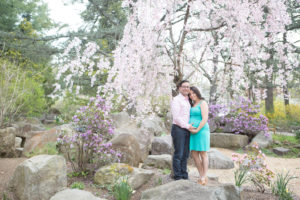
243 117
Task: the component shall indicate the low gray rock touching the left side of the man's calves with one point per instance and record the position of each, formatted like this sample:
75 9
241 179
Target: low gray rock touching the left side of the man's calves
159 161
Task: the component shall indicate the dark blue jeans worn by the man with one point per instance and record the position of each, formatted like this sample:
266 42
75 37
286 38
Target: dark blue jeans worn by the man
181 141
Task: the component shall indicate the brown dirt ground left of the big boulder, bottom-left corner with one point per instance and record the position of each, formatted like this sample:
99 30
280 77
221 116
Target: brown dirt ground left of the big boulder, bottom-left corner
7 168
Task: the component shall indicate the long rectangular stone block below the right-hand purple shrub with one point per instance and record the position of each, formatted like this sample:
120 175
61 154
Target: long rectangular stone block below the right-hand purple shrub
227 140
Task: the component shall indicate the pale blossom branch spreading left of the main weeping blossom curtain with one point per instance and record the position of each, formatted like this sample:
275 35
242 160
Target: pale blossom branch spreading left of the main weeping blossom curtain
77 61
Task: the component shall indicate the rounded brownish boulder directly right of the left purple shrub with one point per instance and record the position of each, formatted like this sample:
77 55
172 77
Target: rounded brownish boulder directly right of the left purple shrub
128 145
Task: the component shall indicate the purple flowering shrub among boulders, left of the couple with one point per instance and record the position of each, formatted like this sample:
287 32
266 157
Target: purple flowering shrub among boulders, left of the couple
89 145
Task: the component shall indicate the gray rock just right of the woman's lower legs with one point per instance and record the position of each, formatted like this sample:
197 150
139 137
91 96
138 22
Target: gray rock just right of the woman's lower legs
217 160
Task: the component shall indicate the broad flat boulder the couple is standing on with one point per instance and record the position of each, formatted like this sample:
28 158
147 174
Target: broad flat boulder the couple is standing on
187 190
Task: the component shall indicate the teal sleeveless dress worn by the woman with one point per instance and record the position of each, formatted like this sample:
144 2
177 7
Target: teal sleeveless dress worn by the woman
199 141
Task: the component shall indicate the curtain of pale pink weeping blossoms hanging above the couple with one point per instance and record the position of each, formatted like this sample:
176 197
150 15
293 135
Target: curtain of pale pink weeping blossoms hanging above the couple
149 56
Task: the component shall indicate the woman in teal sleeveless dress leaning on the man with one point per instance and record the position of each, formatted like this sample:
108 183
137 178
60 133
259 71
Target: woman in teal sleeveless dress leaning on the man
200 134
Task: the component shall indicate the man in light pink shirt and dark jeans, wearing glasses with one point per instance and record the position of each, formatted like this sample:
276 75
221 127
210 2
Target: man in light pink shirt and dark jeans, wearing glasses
180 134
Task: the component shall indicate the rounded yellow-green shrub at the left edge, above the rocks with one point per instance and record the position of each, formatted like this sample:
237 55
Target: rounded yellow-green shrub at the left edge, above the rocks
20 95
